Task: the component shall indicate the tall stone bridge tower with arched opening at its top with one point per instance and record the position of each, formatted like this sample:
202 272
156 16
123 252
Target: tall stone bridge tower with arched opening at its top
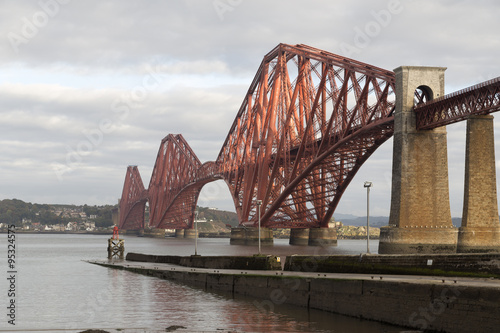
420 218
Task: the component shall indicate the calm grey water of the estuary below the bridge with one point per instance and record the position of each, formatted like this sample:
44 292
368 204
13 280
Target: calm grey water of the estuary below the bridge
57 291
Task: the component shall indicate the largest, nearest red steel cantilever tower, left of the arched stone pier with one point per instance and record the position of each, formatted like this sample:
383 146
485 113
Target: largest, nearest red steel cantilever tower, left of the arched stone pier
308 122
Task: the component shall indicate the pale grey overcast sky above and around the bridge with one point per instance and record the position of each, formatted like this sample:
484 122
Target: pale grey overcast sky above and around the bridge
89 87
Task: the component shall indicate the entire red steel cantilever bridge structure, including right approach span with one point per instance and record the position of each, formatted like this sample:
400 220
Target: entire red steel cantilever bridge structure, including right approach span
308 122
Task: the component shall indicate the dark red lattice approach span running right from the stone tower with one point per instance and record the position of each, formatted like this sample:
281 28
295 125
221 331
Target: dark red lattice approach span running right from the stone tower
480 99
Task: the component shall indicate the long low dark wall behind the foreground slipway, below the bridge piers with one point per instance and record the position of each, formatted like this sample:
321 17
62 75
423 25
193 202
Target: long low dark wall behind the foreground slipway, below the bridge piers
472 265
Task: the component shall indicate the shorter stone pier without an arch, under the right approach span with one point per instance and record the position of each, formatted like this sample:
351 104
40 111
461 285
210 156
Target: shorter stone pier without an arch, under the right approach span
480 231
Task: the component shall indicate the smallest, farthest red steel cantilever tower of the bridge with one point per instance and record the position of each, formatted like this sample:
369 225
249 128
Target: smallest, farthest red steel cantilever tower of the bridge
133 201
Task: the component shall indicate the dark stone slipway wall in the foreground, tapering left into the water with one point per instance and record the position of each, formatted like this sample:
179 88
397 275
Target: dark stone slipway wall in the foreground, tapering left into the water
423 305
